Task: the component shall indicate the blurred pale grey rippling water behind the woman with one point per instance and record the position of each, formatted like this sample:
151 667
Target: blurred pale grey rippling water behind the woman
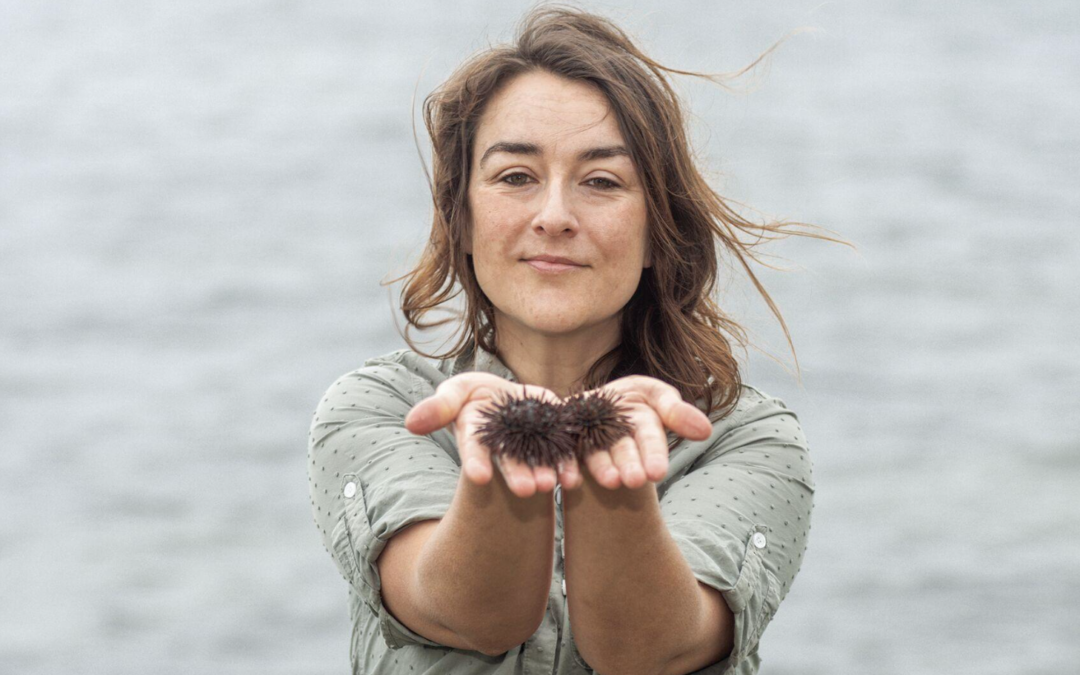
198 201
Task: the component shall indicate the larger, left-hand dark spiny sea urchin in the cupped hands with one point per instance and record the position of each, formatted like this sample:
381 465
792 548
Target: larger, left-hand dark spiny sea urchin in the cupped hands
528 429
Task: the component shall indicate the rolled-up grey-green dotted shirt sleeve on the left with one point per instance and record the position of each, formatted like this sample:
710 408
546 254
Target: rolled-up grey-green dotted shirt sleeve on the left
370 478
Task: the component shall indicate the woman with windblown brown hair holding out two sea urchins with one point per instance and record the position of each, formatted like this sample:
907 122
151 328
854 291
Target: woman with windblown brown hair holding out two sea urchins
569 210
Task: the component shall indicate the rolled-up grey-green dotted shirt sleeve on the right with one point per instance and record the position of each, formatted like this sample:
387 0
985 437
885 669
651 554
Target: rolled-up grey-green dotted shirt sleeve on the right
741 518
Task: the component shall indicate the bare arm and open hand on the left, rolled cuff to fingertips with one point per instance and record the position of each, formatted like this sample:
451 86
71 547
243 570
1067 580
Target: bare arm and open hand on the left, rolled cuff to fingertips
483 573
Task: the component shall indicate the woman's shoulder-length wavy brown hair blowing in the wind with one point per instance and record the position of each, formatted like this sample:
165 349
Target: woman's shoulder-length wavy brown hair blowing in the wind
672 316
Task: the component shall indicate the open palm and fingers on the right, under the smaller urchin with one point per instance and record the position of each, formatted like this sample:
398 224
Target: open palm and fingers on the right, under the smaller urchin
654 408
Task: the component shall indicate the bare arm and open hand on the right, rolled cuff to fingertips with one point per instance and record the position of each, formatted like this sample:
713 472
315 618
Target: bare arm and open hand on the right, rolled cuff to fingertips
636 605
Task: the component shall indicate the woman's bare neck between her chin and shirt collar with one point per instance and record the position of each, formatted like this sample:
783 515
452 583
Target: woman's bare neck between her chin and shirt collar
557 362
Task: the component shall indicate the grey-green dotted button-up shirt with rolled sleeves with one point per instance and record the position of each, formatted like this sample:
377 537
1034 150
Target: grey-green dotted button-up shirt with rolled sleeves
738 505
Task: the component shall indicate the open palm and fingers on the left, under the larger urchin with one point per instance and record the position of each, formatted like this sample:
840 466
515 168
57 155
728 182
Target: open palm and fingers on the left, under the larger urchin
460 401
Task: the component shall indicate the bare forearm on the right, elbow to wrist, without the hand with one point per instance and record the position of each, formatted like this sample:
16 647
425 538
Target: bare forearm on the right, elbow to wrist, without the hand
634 603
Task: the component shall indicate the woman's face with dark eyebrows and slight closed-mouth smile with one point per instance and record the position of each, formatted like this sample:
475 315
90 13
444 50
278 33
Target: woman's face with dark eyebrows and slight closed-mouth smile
552 177
